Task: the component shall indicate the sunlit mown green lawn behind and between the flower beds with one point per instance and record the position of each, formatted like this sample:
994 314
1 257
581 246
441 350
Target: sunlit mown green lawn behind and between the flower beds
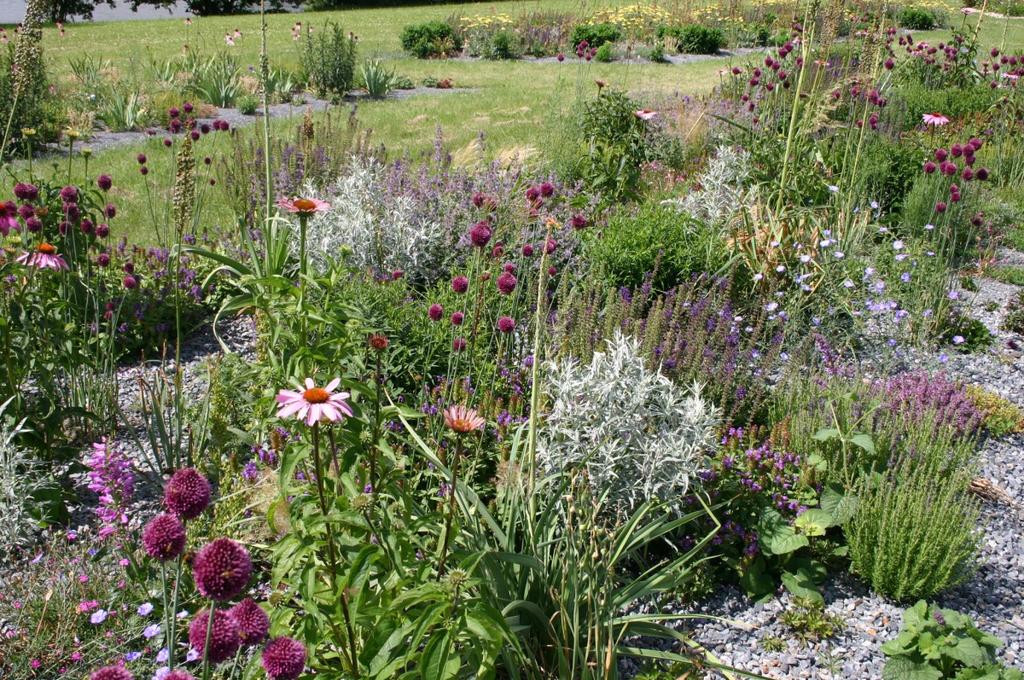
517 106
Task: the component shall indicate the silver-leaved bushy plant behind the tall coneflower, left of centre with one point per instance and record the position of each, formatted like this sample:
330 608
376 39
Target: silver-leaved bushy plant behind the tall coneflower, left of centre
381 233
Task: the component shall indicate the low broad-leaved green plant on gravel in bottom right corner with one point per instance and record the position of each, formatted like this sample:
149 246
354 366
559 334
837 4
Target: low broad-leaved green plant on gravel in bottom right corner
936 644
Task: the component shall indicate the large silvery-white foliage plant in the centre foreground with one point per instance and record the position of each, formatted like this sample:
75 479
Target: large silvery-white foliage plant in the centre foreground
639 436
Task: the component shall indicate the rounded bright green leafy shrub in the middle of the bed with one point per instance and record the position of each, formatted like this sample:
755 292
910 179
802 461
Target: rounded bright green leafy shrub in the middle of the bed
655 240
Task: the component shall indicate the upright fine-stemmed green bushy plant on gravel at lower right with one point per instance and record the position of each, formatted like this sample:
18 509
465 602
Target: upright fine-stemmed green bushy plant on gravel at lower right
915 533
